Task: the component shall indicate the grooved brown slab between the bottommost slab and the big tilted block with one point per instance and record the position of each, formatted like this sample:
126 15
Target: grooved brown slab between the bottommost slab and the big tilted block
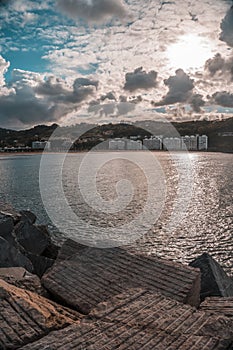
151 311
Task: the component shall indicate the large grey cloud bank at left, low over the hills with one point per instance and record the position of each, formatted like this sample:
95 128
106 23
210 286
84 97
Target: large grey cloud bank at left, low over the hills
32 101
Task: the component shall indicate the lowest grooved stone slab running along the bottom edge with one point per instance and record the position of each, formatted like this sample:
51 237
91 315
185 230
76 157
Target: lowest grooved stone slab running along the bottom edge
110 336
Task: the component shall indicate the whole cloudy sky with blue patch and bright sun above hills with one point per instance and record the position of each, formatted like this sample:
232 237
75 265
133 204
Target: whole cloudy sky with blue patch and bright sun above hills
73 61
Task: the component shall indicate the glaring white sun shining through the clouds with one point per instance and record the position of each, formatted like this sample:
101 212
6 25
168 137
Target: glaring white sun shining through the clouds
190 52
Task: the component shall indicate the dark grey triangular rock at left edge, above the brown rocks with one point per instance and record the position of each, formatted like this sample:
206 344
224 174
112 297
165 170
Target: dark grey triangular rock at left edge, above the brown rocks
11 257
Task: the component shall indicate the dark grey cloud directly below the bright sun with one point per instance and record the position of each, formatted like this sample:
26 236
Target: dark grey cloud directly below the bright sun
180 88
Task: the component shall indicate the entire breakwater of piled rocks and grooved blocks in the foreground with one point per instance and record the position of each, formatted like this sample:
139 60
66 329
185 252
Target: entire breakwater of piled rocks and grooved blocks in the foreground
89 298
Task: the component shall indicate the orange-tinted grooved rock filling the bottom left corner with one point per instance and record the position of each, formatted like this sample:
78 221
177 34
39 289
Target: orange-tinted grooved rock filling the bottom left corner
26 316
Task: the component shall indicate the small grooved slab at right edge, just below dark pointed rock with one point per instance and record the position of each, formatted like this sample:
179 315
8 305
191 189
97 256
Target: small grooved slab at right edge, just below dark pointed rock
218 305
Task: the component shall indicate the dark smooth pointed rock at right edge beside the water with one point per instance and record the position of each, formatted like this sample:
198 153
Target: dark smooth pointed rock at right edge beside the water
214 280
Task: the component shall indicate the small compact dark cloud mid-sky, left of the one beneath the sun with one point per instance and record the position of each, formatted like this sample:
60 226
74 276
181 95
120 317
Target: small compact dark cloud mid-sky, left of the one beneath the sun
140 79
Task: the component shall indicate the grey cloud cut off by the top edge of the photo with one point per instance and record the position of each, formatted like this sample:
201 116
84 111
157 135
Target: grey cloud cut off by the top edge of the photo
92 10
